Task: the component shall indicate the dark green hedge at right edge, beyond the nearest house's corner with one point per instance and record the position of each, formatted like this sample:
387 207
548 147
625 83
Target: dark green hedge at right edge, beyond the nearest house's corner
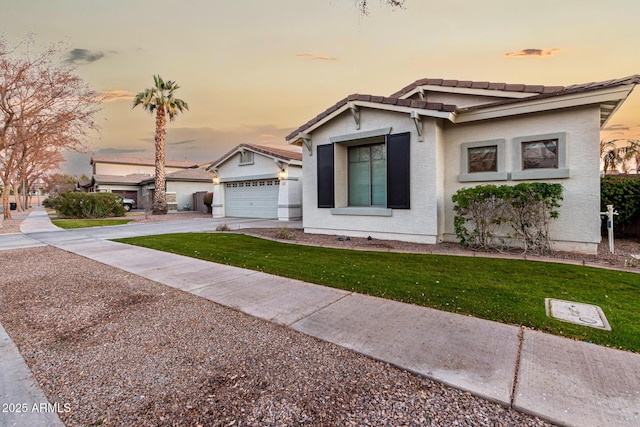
624 194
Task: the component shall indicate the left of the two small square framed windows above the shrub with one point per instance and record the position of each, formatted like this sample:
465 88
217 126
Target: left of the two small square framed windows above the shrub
482 161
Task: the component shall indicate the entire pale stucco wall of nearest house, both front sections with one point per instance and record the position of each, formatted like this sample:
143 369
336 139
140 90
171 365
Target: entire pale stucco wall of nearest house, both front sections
435 166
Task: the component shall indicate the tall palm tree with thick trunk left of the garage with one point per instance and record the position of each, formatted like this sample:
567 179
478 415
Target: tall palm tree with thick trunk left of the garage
159 99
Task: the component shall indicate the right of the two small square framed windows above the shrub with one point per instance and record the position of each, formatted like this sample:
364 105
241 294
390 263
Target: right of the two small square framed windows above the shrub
540 157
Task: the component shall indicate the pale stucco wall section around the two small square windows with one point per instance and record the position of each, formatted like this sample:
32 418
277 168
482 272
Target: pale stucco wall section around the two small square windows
578 227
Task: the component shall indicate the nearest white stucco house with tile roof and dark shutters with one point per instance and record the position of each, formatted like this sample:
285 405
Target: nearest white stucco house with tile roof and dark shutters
387 167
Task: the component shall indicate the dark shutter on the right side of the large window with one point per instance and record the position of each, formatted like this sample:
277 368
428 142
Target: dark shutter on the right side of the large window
398 173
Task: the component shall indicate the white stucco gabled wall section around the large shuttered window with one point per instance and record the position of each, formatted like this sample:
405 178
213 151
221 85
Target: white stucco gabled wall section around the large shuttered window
418 224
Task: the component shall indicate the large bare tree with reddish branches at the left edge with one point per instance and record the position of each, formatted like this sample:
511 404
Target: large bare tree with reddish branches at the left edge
45 107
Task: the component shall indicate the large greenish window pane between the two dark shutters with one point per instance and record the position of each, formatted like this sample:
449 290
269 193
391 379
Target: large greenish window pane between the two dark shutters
368 175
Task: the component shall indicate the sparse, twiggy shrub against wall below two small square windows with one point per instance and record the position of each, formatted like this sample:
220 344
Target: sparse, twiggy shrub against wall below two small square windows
492 217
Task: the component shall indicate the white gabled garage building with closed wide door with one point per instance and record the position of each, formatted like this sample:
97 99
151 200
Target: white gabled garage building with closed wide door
254 181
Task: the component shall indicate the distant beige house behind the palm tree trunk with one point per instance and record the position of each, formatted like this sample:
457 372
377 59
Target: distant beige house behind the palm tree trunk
126 175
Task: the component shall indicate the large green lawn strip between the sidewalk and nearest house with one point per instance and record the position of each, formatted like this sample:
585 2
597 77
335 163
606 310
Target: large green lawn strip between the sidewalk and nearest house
507 291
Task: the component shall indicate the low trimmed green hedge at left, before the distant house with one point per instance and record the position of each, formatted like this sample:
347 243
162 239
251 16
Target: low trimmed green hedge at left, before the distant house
89 205
